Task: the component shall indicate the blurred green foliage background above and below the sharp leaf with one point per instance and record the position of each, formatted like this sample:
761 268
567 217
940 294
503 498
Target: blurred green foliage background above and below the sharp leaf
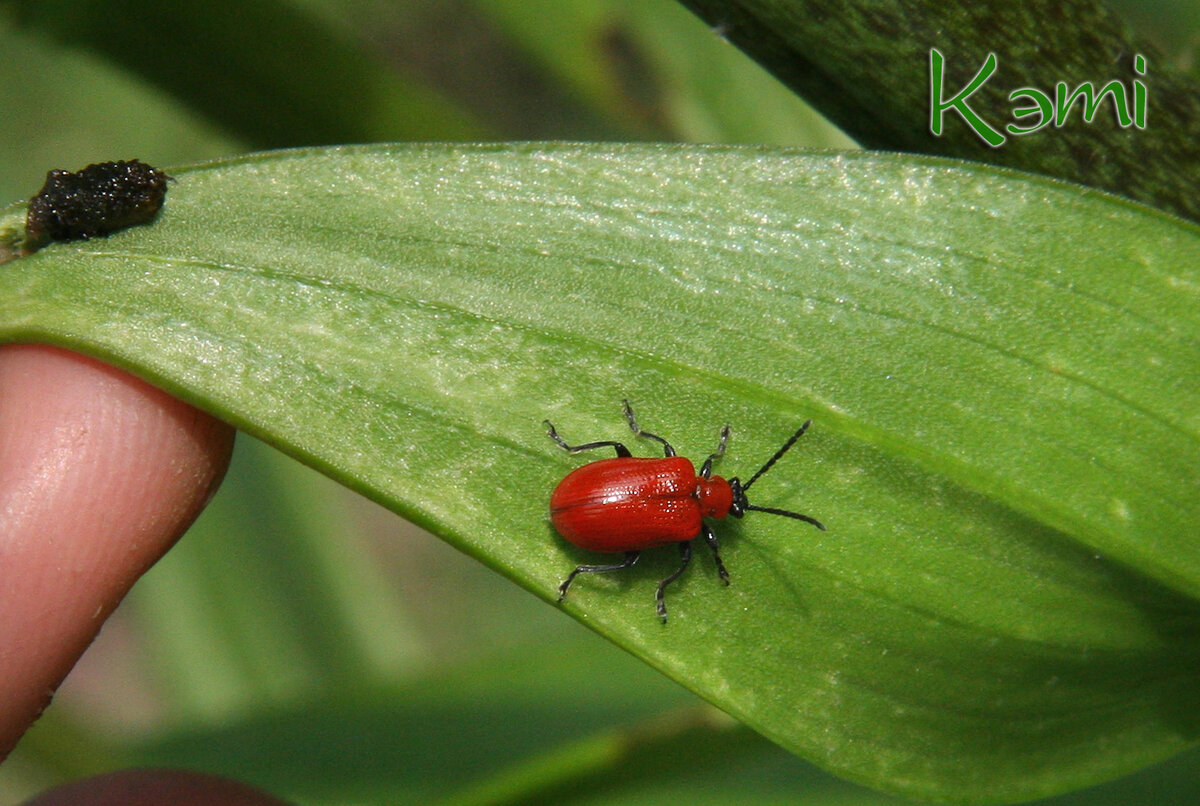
299 637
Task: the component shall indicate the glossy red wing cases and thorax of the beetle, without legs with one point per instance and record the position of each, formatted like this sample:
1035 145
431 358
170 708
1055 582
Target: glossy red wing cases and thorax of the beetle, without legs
629 504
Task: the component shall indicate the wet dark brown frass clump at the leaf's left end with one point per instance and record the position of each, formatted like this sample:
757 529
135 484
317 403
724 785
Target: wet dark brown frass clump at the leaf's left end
97 201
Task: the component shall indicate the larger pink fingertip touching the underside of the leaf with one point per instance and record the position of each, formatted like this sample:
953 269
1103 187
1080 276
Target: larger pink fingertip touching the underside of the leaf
100 474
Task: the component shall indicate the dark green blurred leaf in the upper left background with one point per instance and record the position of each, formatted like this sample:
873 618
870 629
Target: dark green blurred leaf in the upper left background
269 73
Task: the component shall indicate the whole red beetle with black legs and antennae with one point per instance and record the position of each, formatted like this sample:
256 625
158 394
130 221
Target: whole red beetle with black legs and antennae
629 504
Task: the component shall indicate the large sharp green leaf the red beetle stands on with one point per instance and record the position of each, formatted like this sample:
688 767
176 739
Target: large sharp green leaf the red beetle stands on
1001 371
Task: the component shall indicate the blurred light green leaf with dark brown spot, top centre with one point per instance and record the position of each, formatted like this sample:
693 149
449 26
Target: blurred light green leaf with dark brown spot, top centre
661 71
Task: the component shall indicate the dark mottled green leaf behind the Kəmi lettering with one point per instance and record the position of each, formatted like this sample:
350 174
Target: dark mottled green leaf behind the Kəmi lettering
866 65
